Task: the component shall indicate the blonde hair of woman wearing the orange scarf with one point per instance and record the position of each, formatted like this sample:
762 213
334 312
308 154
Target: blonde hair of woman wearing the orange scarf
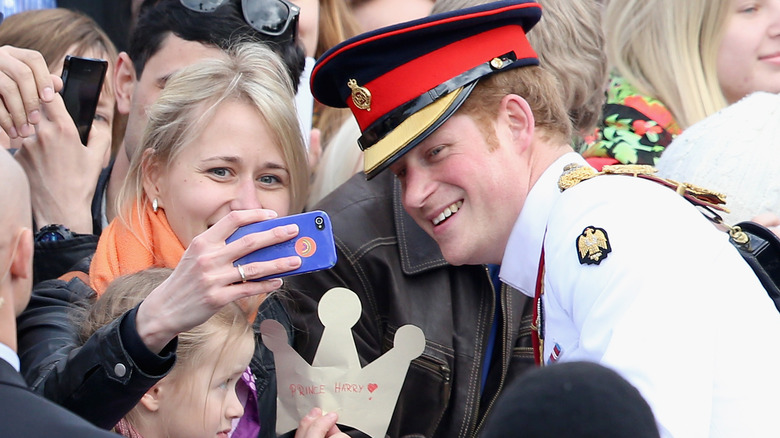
249 72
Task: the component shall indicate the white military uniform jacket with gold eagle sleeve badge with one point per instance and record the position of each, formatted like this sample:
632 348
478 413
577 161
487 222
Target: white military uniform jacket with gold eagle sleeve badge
671 306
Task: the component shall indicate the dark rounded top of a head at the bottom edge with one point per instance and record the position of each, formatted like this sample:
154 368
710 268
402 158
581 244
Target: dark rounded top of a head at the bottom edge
571 400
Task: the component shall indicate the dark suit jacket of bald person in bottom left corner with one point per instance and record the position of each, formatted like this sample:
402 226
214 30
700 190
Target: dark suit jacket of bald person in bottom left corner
26 414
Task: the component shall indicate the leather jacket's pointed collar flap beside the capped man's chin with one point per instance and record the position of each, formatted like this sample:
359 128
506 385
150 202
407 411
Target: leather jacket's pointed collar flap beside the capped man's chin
418 251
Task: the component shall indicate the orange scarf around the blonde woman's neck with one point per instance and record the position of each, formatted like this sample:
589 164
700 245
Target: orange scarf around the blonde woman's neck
121 252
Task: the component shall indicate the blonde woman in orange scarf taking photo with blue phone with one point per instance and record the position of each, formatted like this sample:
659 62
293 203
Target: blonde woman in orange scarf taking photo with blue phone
221 150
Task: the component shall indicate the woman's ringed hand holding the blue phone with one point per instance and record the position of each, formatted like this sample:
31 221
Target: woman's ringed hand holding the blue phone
206 280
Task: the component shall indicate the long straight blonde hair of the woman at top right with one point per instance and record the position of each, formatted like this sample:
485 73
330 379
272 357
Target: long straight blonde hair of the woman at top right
668 49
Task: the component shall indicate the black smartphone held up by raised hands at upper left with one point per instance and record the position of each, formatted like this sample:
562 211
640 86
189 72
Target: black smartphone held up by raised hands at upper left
83 79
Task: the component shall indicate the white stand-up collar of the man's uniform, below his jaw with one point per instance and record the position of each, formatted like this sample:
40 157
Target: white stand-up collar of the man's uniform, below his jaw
520 263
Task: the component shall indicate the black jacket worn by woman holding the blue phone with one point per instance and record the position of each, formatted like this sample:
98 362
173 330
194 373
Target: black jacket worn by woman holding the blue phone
103 380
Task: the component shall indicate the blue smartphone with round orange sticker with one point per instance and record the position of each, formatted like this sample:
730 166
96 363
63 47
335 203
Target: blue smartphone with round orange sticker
314 243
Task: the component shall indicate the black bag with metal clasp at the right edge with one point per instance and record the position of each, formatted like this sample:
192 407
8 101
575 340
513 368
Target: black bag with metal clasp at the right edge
760 248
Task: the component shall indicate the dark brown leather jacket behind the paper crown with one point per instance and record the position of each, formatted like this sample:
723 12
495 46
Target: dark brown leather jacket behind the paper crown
401 278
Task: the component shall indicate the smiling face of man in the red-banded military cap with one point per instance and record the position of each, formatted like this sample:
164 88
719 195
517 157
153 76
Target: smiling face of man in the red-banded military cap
464 192
